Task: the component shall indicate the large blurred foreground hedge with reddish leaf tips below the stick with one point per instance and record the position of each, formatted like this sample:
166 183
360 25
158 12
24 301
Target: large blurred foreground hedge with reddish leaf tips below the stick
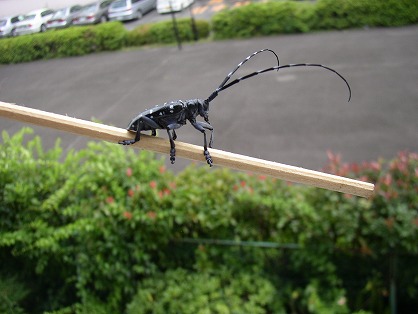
109 230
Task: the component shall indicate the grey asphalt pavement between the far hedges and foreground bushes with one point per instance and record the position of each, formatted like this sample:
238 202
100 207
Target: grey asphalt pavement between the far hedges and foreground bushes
292 116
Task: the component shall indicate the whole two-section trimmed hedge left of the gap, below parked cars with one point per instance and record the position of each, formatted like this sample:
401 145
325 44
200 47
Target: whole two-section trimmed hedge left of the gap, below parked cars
77 41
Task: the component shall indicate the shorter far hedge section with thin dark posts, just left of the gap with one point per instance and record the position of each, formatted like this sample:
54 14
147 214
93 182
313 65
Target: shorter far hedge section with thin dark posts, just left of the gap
163 32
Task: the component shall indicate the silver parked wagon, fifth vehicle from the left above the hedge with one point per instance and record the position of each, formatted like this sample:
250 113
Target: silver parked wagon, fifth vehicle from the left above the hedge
125 10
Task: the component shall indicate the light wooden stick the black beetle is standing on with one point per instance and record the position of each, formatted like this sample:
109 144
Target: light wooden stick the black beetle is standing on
189 151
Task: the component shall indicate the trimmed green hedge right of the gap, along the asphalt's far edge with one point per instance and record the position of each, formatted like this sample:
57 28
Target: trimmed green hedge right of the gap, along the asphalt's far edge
281 17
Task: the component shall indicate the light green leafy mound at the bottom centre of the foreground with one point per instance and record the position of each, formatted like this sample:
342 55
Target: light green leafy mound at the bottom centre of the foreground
181 291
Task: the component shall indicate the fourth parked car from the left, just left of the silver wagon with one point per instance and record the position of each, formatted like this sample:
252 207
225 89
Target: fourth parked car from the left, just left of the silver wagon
93 13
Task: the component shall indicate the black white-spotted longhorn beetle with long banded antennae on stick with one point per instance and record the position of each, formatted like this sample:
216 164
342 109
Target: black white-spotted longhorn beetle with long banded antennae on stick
172 115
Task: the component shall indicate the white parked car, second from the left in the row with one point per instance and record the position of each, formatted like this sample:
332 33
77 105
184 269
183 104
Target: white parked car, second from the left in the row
34 22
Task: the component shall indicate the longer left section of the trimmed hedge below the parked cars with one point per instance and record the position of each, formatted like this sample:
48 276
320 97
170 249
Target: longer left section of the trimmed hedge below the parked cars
73 41
